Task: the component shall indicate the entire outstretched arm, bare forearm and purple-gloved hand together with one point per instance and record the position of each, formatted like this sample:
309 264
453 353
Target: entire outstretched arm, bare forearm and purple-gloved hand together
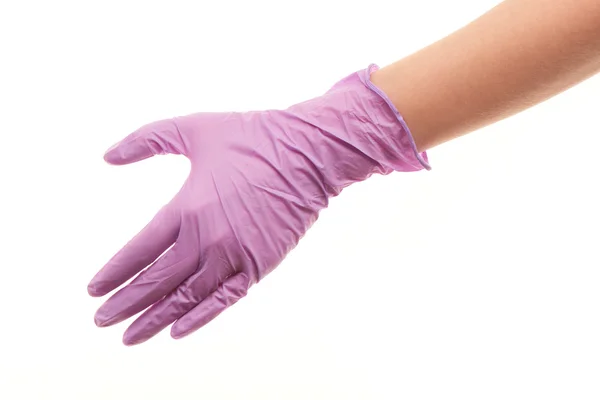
259 180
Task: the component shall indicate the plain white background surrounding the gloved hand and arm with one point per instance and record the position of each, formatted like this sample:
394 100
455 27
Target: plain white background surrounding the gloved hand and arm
478 280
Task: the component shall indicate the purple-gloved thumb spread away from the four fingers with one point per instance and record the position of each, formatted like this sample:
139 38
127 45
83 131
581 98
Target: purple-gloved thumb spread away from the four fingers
160 137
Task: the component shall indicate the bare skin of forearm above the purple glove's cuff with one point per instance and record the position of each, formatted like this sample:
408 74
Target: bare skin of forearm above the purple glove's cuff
518 54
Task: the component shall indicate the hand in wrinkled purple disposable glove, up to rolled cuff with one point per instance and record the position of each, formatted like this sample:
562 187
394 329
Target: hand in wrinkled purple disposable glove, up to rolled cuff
257 182
